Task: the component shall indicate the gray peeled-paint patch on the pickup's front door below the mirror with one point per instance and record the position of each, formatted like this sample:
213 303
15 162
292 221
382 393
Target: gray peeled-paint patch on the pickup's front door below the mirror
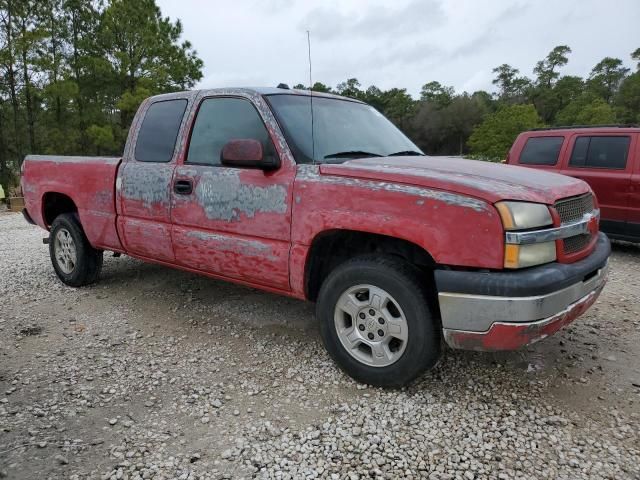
224 197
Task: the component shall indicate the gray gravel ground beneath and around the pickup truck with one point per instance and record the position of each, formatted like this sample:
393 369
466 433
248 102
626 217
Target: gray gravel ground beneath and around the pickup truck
155 373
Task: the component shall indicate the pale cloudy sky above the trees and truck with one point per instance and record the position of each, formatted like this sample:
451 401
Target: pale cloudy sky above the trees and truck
399 43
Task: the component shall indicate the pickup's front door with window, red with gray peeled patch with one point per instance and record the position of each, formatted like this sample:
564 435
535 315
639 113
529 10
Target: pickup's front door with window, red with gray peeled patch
232 222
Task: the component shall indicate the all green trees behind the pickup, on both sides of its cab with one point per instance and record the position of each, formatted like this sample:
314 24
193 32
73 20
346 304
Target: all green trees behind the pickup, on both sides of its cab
73 73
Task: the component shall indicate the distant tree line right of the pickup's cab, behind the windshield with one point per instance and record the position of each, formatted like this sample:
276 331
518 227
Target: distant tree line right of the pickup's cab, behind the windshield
484 124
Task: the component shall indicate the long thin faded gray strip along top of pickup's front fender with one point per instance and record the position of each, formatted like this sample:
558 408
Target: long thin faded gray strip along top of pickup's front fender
311 173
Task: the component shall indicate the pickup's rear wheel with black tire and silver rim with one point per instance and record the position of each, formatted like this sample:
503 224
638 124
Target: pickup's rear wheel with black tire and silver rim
74 260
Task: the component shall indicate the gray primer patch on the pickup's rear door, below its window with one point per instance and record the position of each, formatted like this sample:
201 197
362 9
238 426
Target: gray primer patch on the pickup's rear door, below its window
146 183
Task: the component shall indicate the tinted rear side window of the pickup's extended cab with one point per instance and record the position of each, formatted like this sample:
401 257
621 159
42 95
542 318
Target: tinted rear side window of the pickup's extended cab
159 131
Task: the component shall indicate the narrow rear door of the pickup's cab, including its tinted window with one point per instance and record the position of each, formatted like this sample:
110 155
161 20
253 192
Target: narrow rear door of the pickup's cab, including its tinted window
143 186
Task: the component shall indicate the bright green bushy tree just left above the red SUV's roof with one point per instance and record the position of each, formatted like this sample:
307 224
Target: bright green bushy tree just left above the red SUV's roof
492 139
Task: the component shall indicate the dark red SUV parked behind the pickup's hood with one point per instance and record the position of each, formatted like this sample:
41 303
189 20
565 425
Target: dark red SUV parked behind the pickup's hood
606 157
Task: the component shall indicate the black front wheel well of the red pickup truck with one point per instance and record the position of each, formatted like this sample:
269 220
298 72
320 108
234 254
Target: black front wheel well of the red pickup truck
330 249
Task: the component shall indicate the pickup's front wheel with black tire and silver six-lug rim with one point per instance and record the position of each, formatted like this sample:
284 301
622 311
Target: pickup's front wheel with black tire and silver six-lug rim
357 343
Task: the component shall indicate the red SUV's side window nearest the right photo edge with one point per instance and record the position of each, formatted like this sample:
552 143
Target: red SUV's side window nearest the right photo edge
600 152
